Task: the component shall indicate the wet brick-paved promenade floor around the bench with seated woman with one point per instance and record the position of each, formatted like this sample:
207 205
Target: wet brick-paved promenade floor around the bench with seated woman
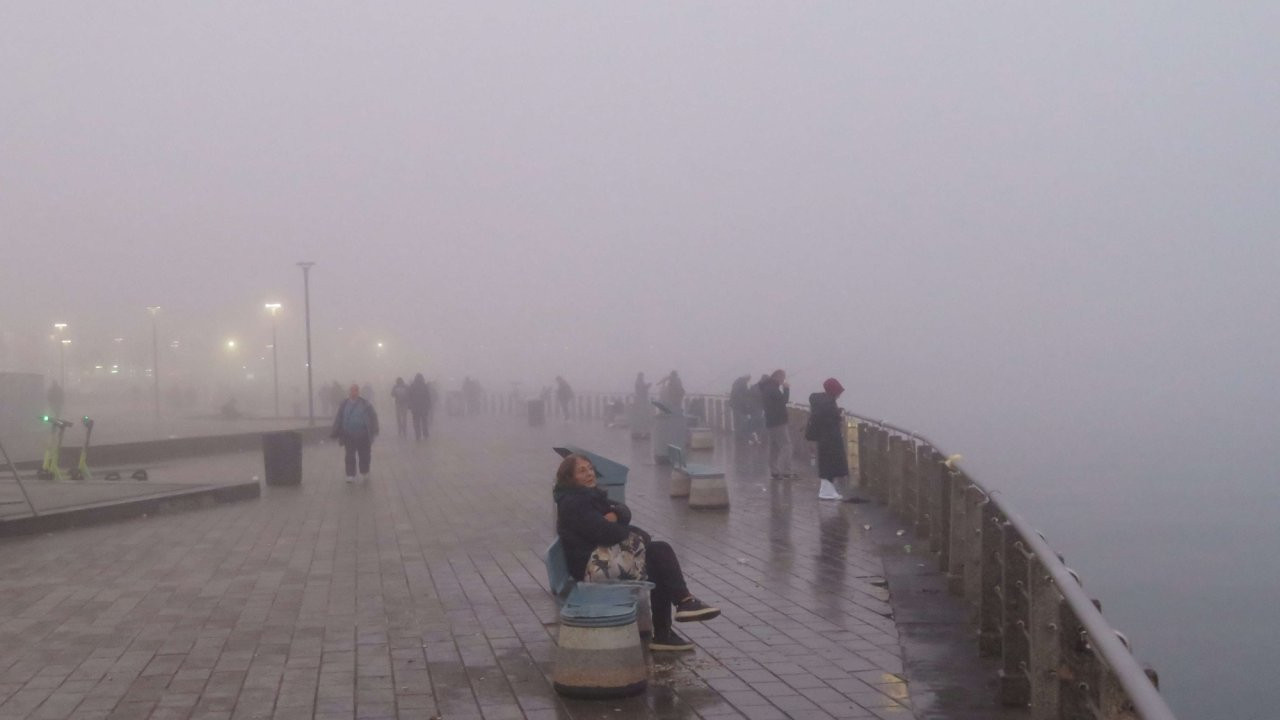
423 595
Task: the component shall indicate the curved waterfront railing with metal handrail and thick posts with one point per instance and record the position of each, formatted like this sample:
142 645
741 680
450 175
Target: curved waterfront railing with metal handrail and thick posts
1059 657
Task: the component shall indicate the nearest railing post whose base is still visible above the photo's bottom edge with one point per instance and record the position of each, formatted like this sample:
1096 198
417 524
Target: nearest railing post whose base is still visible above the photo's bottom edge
1016 640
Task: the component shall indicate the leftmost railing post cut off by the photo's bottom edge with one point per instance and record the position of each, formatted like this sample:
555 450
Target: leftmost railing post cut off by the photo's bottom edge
1045 653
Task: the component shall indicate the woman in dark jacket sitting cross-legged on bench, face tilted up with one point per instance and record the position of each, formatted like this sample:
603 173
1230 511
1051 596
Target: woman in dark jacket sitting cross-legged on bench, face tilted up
586 520
